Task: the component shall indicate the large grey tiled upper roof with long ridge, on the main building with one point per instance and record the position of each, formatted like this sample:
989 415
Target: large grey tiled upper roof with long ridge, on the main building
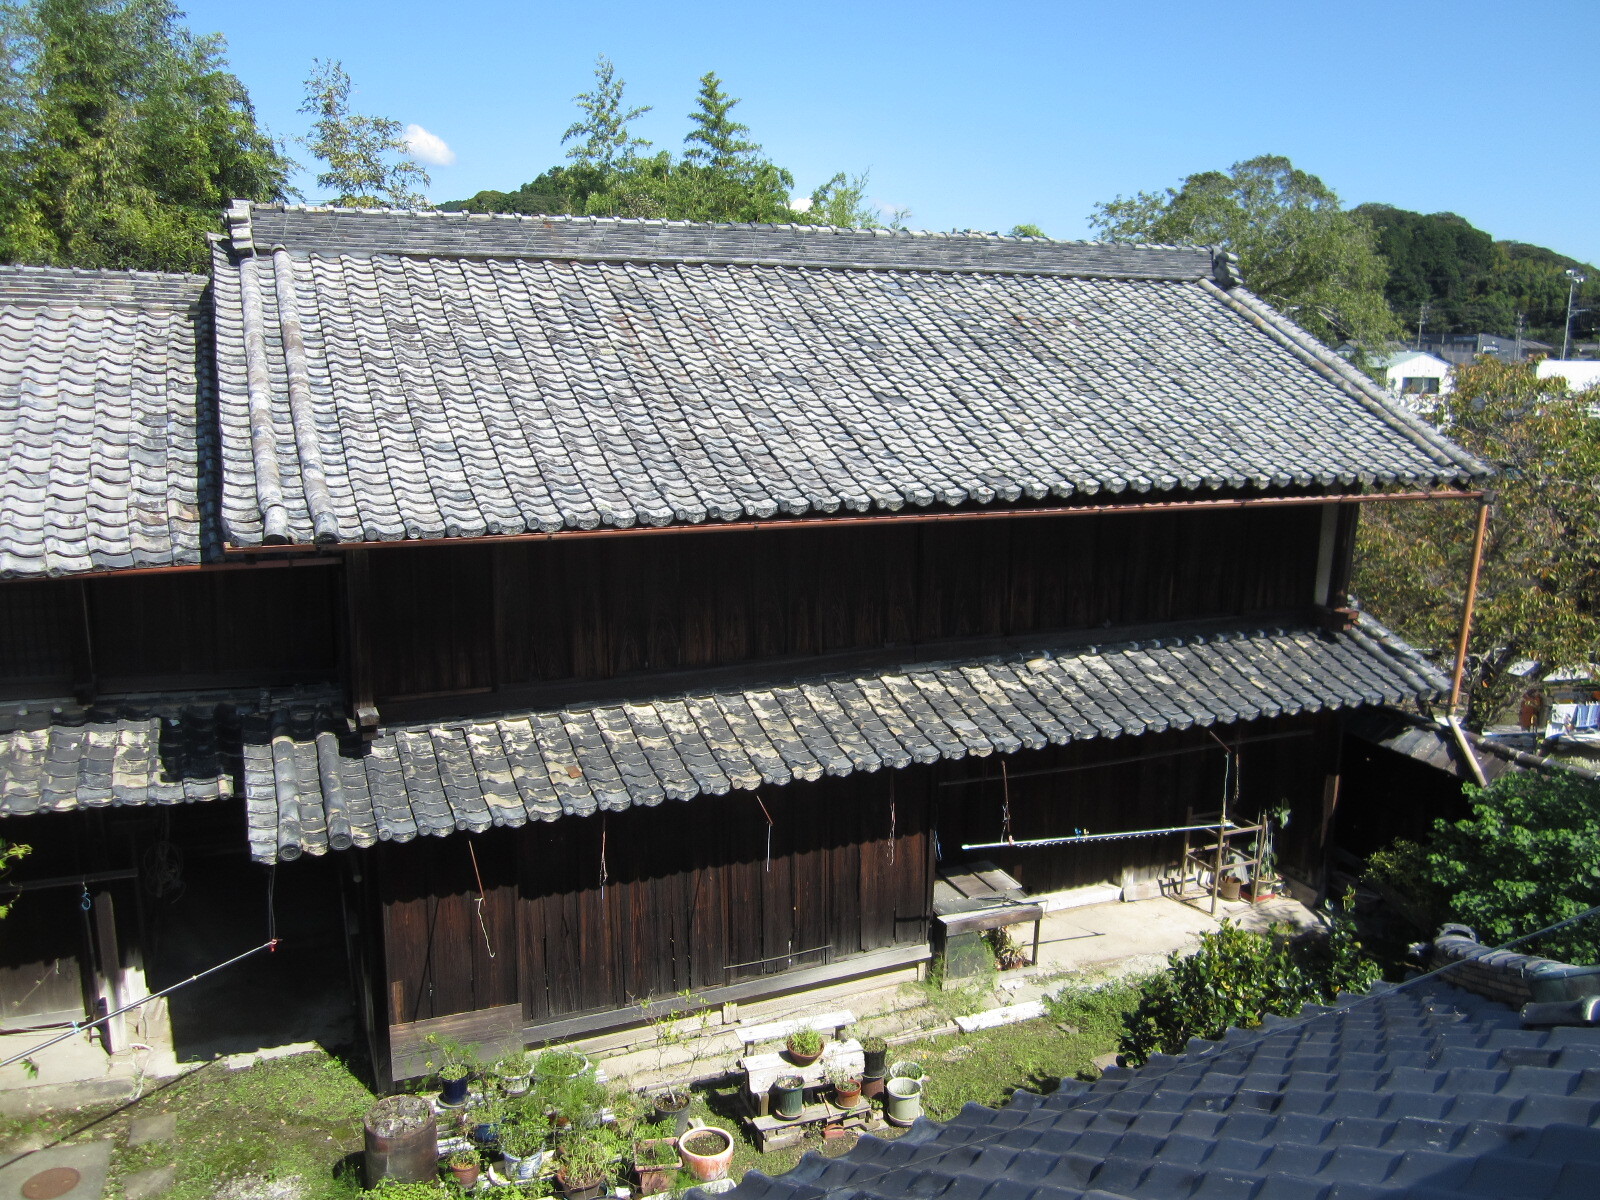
406 375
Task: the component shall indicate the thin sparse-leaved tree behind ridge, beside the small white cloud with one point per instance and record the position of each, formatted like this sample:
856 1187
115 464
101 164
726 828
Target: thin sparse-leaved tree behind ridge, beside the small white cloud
369 162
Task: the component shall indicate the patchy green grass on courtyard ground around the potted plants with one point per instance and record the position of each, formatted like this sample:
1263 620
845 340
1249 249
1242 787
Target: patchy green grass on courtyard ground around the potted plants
300 1119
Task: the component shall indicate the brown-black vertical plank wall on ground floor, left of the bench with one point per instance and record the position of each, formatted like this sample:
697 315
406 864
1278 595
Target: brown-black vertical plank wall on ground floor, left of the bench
689 900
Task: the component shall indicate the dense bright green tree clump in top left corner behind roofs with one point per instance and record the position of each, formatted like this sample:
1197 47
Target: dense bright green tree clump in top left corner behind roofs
122 137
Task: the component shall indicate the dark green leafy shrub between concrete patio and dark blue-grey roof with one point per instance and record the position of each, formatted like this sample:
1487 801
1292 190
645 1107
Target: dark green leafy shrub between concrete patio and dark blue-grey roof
1239 977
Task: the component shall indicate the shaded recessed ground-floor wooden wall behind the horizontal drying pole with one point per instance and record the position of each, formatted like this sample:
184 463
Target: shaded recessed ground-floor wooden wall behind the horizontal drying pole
1102 793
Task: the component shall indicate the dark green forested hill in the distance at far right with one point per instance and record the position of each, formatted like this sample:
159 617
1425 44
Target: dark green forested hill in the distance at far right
1474 284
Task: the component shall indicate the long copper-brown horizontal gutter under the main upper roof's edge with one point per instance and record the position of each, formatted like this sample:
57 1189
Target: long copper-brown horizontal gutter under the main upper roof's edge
879 519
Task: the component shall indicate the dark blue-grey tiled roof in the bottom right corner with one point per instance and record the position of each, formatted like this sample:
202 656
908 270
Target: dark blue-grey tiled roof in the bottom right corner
1430 1094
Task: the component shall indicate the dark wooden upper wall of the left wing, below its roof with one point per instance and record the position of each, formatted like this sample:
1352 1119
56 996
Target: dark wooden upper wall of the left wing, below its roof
170 633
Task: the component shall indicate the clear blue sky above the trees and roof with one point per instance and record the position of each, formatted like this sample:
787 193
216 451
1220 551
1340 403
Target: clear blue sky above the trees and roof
985 116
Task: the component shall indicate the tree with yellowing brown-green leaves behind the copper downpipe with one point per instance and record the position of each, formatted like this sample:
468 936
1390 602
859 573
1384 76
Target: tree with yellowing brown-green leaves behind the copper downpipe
1542 556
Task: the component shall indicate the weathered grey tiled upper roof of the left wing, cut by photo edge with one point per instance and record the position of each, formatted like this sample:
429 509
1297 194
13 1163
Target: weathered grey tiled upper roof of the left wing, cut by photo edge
100 388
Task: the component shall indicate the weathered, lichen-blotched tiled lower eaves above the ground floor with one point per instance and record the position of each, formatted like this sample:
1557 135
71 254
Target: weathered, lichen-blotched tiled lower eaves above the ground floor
308 790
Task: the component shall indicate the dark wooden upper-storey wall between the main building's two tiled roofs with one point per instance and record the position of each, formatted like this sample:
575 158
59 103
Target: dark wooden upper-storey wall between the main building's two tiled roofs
614 607
